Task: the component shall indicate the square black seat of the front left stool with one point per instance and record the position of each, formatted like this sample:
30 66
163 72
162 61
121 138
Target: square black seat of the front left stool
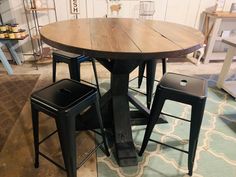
63 94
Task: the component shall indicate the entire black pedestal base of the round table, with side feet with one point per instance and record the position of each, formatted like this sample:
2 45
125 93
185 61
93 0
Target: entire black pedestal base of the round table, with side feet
115 110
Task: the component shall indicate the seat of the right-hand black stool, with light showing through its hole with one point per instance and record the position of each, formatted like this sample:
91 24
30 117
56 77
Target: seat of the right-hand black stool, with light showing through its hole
184 84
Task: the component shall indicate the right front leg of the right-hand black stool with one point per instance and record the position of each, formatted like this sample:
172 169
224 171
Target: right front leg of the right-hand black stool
196 120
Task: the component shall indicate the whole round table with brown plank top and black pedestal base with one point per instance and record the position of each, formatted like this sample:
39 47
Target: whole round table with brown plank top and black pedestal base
121 45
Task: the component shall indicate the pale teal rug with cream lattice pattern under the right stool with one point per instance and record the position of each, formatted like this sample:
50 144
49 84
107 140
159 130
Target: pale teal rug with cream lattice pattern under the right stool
215 157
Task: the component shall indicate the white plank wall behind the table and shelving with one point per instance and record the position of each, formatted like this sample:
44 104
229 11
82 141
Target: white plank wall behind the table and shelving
187 12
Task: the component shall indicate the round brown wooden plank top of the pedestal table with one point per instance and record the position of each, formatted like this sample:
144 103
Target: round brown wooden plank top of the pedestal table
117 38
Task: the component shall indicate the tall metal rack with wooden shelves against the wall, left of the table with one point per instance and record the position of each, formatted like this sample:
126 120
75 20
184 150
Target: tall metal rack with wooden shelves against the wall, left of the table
41 52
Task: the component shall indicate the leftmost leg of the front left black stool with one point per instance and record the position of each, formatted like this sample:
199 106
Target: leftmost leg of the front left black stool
35 121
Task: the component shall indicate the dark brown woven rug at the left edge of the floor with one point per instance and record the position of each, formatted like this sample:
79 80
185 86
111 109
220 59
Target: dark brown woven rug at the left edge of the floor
14 92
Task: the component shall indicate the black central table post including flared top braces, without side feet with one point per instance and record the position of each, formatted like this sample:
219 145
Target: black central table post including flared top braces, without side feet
119 102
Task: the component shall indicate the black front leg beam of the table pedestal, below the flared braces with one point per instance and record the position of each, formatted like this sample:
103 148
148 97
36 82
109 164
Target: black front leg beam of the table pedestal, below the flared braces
125 149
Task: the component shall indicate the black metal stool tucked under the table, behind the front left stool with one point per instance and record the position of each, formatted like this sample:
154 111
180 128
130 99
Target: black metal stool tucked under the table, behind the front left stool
73 61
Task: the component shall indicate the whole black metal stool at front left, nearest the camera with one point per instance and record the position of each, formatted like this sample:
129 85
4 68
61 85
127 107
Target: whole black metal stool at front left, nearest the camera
64 100
